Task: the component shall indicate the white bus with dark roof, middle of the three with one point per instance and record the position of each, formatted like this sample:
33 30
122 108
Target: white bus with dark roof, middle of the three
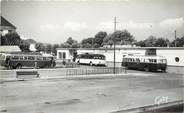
91 59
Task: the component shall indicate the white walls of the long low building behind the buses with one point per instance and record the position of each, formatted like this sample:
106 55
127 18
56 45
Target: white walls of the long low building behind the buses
169 53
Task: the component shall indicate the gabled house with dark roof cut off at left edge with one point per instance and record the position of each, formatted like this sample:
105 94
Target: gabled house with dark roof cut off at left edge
6 27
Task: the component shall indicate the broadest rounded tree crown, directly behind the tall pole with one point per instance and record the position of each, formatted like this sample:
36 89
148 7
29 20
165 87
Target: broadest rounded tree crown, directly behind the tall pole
122 37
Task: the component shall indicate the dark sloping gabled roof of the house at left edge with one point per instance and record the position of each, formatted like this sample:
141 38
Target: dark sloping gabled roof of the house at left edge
5 24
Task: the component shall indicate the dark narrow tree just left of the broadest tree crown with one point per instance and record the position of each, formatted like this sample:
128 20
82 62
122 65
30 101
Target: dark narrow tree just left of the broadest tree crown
98 40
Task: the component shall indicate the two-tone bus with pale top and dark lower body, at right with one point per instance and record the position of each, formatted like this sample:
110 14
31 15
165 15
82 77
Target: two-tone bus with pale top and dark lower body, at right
146 63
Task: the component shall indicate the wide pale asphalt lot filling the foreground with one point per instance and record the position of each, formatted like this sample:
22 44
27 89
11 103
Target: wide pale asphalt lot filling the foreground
89 95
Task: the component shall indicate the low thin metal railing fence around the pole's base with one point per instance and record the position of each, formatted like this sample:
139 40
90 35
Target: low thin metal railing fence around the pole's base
102 70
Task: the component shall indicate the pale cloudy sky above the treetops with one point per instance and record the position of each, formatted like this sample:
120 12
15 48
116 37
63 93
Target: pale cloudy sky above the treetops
53 21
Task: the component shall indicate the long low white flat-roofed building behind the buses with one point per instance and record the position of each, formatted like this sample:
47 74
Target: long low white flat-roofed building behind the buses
174 55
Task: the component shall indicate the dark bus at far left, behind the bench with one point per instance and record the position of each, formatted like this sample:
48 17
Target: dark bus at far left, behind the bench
21 59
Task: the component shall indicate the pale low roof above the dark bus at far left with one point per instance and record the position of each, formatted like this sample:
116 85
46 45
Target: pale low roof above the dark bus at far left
4 49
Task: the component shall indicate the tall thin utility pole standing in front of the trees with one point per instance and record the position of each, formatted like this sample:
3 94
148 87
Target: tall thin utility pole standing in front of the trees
114 71
